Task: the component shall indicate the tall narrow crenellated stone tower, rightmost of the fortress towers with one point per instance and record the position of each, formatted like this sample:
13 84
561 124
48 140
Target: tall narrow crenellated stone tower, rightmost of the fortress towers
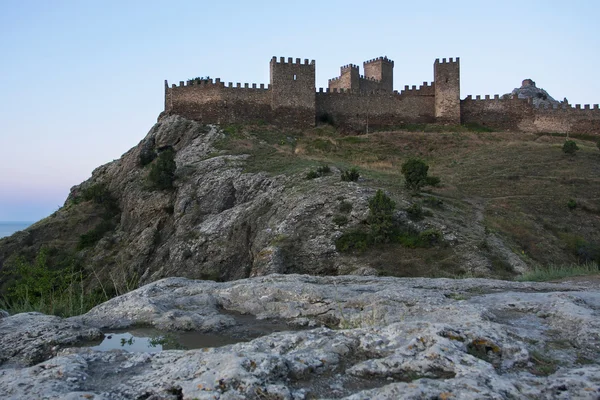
447 90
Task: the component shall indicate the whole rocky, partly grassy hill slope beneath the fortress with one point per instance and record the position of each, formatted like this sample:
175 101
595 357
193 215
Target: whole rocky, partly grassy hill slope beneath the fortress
237 203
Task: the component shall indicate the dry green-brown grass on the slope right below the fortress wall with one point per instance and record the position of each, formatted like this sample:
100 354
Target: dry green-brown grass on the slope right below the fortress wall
523 182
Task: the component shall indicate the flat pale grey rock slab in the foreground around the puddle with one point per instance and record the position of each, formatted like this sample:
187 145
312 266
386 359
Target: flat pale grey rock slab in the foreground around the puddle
350 337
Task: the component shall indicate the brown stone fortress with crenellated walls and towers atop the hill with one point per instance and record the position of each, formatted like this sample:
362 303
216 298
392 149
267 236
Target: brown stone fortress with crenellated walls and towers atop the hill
361 102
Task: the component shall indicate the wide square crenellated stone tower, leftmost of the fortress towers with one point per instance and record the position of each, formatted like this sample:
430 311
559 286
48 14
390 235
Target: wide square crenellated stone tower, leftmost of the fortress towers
293 91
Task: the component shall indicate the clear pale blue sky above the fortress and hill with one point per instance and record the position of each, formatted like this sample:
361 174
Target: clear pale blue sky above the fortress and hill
83 81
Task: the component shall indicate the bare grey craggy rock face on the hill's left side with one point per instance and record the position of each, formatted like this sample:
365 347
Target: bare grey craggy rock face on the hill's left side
221 221
